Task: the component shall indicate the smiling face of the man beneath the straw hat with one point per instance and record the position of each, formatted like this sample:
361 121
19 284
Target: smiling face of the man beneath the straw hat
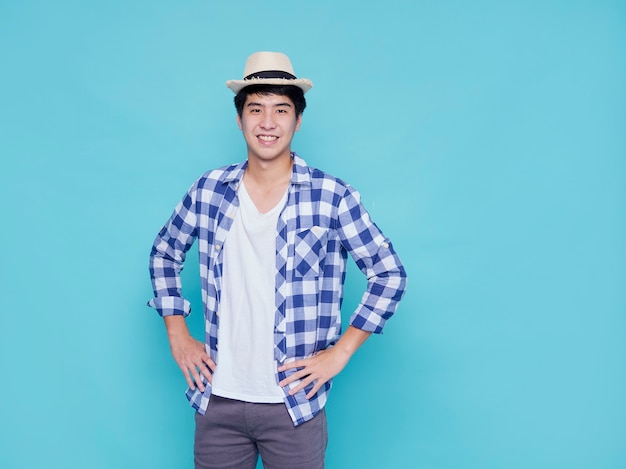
268 123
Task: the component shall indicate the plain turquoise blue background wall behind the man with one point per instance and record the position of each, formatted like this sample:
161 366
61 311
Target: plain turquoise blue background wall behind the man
487 139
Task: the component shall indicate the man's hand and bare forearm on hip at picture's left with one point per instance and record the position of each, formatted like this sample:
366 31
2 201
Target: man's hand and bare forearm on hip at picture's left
189 353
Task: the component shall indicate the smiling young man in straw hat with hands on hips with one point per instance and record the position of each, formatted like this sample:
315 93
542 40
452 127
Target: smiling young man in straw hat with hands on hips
273 237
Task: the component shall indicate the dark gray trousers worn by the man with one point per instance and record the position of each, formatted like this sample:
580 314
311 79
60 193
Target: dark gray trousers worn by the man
232 434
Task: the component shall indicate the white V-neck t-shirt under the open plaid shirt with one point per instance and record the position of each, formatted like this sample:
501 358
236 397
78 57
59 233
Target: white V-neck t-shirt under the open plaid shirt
246 369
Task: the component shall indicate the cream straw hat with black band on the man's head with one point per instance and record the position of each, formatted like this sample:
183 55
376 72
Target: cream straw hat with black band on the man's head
269 68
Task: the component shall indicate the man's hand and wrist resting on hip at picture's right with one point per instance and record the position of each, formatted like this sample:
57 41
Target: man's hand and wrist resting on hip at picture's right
325 364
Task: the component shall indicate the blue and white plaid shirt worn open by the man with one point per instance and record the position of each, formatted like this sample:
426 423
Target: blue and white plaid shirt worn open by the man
322 221
